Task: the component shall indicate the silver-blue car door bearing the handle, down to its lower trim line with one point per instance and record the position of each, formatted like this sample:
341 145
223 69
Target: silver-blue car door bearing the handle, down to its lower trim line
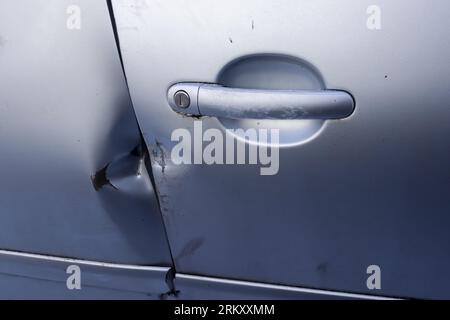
360 186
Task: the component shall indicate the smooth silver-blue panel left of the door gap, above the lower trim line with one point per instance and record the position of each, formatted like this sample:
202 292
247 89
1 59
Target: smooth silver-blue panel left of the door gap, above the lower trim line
65 113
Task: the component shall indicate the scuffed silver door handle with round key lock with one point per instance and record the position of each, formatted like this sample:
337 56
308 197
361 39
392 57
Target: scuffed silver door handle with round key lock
204 99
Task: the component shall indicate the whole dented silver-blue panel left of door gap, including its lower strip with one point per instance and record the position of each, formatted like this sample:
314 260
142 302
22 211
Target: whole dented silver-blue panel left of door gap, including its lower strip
69 191
